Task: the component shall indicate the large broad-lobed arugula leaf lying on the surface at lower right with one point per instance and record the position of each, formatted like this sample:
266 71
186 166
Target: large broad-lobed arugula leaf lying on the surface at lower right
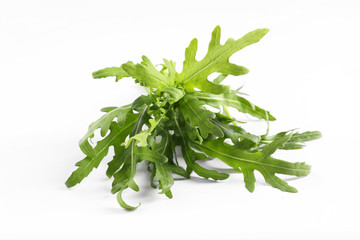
261 161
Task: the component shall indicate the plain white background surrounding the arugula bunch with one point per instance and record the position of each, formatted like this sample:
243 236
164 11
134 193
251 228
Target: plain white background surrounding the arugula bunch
305 71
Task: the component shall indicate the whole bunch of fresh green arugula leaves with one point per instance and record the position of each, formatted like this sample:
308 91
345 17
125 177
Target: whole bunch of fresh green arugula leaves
173 115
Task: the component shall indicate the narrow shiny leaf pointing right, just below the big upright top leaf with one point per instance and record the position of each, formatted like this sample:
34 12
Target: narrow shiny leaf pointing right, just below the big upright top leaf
230 99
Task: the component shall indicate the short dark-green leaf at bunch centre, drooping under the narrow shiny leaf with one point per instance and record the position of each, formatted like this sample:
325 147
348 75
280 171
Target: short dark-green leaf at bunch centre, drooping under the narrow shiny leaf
197 115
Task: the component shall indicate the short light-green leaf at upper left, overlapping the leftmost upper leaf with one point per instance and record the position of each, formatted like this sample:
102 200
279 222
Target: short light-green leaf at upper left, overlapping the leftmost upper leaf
148 74
